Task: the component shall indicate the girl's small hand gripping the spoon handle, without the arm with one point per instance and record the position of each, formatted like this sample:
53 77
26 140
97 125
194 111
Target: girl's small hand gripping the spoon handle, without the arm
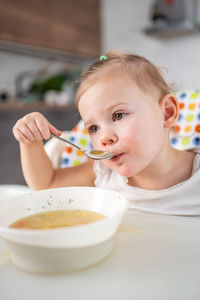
33 127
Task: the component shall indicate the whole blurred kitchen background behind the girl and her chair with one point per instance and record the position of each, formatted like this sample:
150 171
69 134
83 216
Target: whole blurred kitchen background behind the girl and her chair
46 44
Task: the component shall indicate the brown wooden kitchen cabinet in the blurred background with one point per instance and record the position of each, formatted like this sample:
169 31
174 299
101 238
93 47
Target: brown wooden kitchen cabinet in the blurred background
66 26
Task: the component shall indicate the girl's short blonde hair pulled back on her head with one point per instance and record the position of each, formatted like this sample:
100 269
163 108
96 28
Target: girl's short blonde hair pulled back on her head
137 68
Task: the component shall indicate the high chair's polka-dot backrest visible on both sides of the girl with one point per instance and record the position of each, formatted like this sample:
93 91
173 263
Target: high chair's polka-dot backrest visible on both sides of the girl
185 134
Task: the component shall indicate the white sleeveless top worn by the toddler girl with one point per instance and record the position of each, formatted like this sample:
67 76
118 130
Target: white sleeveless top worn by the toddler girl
180 199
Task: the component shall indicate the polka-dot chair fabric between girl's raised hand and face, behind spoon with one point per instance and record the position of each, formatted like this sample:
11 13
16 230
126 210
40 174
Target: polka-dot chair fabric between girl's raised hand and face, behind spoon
71 156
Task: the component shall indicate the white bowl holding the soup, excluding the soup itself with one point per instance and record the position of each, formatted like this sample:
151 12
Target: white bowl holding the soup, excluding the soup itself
63 249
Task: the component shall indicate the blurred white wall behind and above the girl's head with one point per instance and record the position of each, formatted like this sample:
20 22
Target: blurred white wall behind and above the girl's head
123 22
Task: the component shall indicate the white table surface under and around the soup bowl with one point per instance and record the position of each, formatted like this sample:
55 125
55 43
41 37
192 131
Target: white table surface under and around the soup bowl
155 257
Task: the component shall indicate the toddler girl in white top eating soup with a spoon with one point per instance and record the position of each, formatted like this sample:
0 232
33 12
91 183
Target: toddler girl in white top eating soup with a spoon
128 109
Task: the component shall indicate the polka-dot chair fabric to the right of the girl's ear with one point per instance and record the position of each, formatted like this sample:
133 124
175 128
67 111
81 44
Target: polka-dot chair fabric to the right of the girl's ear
186 132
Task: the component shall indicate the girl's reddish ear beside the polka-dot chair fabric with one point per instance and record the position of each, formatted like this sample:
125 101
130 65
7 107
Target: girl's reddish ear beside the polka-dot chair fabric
170 110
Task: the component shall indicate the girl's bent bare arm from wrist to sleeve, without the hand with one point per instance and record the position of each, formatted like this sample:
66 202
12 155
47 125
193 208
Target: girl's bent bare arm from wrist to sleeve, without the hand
39 173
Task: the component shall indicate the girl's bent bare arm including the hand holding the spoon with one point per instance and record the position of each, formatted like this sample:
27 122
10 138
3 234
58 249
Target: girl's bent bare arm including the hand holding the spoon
36 165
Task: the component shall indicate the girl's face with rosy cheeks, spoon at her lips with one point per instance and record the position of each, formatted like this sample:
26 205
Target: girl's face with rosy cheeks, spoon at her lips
122 119
